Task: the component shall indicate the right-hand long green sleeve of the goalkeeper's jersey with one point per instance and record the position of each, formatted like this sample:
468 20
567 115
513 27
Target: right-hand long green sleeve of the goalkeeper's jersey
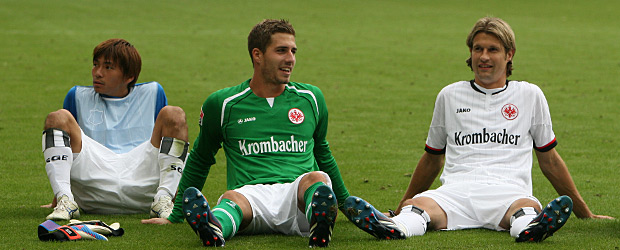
323 154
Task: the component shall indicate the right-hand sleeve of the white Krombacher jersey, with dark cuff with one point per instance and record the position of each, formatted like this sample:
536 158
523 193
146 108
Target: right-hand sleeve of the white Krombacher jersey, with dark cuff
541 130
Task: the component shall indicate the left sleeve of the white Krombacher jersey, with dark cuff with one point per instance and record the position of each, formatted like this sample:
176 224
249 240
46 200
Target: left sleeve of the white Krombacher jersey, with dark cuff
437 137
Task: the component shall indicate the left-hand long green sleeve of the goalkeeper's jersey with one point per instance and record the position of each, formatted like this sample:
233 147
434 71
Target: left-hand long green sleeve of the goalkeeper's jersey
202 155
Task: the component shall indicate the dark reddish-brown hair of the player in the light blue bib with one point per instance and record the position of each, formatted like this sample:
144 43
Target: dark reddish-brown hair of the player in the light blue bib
122 54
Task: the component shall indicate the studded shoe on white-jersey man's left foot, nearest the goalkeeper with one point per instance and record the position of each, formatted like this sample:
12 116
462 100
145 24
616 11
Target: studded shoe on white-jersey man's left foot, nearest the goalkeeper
366 217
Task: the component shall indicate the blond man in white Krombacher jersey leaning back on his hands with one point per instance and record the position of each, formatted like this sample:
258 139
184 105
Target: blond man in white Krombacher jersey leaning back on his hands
485 129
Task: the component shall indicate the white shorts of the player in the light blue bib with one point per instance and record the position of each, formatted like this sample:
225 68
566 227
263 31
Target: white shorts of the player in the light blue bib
105 182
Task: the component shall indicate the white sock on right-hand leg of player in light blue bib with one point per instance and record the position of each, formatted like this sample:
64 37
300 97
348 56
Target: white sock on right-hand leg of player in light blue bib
173 153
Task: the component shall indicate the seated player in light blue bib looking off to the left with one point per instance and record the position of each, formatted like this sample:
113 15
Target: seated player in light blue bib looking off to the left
115 147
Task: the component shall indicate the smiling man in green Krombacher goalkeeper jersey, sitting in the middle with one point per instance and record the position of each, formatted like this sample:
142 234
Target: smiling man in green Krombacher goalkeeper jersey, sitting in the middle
282 177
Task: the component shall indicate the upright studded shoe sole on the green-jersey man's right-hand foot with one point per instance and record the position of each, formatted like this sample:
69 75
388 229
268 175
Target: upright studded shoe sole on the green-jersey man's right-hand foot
324 211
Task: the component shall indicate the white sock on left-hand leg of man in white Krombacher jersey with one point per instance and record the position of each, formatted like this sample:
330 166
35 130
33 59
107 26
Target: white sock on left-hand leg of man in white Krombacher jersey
411 222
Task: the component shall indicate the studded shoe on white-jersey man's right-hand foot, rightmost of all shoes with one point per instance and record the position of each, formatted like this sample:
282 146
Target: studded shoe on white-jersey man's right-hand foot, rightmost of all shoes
551 219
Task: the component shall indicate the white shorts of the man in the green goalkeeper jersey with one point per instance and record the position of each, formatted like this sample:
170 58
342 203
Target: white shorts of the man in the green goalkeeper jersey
274 208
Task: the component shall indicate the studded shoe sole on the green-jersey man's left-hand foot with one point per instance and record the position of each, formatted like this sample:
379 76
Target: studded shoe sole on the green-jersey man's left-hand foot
198 214
